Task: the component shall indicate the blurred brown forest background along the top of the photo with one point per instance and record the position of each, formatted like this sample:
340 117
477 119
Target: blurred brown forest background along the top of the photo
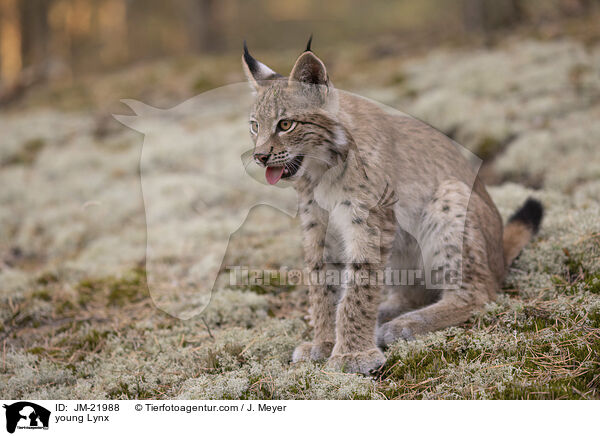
44 41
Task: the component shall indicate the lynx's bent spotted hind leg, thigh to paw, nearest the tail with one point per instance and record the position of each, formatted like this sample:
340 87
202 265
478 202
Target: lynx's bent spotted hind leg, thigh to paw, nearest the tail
459 251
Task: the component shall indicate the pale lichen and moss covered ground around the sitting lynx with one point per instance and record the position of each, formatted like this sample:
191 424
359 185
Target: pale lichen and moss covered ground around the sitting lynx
78 320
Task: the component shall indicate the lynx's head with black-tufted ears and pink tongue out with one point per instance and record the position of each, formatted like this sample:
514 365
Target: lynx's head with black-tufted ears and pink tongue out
293 119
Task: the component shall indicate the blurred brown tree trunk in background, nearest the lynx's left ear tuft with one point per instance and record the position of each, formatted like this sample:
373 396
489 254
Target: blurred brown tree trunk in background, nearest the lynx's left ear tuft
205 26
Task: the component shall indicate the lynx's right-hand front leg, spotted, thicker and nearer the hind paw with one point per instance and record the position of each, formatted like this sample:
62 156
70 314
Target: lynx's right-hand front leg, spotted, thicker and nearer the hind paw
368 244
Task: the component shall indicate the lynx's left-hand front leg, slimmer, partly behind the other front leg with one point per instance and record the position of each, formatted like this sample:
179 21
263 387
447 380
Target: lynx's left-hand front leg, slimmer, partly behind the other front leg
322 298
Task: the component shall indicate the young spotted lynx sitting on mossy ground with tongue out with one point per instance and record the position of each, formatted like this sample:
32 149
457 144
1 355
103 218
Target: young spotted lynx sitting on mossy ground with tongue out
378 191
